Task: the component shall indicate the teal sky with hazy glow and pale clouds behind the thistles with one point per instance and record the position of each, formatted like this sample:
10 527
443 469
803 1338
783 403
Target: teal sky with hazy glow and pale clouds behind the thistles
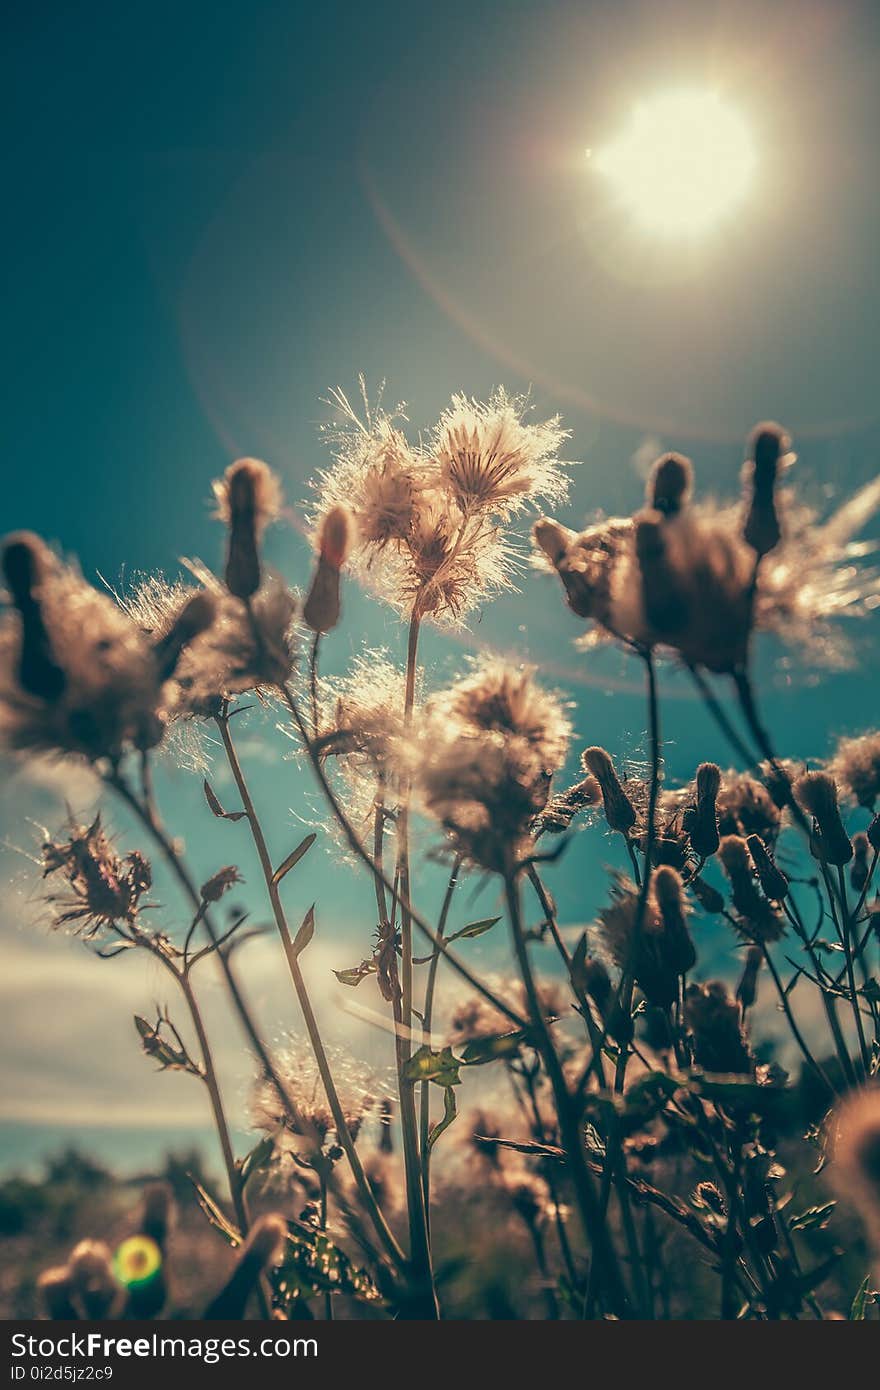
218 213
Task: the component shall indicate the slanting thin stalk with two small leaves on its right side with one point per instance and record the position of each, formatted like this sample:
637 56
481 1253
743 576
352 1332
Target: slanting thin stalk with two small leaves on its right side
344 1134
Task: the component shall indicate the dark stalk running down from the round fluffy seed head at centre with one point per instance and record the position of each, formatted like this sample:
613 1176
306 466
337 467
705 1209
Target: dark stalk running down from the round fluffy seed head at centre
594 1224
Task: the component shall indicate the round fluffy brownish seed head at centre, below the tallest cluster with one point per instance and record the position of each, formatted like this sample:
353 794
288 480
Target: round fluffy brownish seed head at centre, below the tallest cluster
484 755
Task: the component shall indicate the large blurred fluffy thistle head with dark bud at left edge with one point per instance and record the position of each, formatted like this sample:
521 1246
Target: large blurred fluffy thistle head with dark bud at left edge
77 676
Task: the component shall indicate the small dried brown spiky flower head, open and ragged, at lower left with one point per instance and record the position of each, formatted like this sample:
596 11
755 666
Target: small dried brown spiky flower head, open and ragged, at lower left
105 889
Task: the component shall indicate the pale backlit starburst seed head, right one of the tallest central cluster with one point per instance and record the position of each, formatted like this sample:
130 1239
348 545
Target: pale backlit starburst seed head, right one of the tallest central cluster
491 462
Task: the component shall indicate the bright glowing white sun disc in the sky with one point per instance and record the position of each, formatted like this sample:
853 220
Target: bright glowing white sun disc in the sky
685 162
